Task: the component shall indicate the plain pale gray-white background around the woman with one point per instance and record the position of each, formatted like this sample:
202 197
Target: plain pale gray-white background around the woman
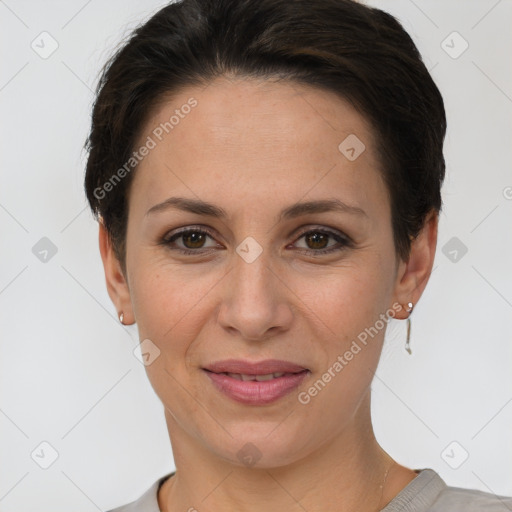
68 373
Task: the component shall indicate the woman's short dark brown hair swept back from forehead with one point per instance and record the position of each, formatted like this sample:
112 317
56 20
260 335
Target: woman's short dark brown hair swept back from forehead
361 53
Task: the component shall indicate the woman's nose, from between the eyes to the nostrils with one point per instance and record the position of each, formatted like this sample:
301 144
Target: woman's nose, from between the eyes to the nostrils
255 301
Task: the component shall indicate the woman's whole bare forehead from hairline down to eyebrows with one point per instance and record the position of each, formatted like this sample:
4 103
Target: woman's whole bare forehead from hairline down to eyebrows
258 137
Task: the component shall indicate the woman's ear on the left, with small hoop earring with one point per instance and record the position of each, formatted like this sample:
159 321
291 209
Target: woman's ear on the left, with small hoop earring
117 285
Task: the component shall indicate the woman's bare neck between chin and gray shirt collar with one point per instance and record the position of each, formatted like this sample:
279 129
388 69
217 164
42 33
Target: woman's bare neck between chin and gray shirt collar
348 472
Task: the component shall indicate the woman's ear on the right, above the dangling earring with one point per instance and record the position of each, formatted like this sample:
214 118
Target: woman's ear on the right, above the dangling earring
413 274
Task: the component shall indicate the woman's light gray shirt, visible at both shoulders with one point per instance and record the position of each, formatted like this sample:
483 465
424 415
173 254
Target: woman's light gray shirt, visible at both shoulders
426 493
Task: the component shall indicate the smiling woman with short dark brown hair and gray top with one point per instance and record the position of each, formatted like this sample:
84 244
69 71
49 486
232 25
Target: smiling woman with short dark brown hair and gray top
267 179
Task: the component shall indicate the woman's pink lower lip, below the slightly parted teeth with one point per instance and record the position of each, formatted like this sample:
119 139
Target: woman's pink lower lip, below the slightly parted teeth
254 392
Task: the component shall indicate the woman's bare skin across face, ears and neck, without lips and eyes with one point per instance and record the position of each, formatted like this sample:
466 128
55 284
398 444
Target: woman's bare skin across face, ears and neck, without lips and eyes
254 148
